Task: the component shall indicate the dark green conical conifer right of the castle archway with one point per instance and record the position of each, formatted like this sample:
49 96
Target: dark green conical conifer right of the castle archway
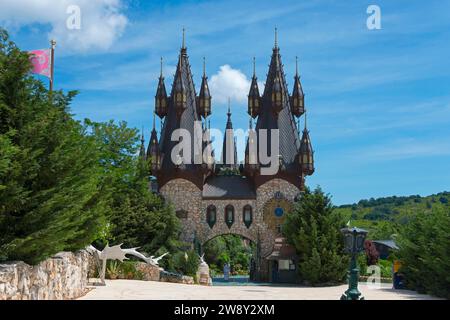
314 229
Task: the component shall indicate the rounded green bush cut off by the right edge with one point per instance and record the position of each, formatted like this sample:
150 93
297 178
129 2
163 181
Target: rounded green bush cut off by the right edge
425 252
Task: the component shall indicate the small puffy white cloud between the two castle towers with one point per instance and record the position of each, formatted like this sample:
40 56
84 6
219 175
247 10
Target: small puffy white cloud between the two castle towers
229 83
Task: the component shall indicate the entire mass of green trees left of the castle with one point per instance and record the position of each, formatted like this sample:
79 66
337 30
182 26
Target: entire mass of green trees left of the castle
64 184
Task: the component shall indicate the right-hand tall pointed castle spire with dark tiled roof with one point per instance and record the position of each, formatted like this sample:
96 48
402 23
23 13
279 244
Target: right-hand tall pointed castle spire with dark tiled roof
277 117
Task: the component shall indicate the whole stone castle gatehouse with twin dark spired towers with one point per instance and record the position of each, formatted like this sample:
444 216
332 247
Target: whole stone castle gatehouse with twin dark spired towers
213 199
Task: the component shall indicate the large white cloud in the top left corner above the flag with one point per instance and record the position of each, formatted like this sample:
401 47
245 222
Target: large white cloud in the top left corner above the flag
102 21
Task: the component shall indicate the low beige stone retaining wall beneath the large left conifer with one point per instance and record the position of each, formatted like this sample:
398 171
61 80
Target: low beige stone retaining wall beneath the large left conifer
64 276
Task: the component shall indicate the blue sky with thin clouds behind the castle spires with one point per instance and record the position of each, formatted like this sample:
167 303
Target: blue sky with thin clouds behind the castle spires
378 100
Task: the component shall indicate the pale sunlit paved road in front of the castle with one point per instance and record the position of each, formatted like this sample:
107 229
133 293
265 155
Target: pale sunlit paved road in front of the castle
149 290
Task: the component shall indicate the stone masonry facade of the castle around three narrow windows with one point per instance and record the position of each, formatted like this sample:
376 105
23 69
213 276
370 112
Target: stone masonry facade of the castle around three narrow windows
185 196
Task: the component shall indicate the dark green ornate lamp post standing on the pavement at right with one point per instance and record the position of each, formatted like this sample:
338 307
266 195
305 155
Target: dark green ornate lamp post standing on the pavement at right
353 243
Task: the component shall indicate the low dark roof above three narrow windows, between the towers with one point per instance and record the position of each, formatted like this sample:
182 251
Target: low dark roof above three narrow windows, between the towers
228 187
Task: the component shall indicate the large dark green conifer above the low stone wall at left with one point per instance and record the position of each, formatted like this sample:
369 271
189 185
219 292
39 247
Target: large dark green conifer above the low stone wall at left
51 198
